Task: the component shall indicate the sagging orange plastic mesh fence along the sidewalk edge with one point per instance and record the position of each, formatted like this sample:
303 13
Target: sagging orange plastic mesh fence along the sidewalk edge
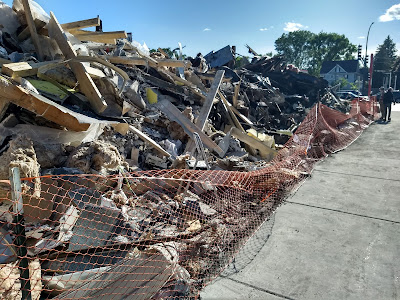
156 234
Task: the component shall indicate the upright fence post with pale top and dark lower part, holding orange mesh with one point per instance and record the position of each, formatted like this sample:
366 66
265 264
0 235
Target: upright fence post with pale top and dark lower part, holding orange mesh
19 231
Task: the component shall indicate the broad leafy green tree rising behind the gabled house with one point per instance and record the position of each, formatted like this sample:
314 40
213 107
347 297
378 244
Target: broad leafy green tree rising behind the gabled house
307 50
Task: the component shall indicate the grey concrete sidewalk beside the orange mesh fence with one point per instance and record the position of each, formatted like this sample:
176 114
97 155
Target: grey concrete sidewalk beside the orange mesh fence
337 237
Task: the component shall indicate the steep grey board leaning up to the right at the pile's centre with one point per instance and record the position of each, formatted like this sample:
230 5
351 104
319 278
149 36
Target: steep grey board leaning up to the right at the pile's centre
206 109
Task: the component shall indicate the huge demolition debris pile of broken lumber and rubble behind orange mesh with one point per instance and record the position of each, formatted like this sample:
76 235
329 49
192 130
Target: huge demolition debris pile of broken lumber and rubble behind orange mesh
74 101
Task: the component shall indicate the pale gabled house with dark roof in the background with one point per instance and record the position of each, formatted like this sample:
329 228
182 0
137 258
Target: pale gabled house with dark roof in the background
332 71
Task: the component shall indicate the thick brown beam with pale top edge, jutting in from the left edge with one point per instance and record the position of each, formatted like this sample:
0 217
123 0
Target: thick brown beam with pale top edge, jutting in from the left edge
45 108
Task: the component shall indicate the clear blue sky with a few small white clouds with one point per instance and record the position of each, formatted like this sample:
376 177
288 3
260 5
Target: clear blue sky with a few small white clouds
210 25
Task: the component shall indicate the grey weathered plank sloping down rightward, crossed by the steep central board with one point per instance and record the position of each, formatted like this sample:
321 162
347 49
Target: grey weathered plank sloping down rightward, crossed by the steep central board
174 114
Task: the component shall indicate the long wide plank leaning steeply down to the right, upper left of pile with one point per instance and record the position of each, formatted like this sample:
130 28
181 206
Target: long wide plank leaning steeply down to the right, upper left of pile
86 83
